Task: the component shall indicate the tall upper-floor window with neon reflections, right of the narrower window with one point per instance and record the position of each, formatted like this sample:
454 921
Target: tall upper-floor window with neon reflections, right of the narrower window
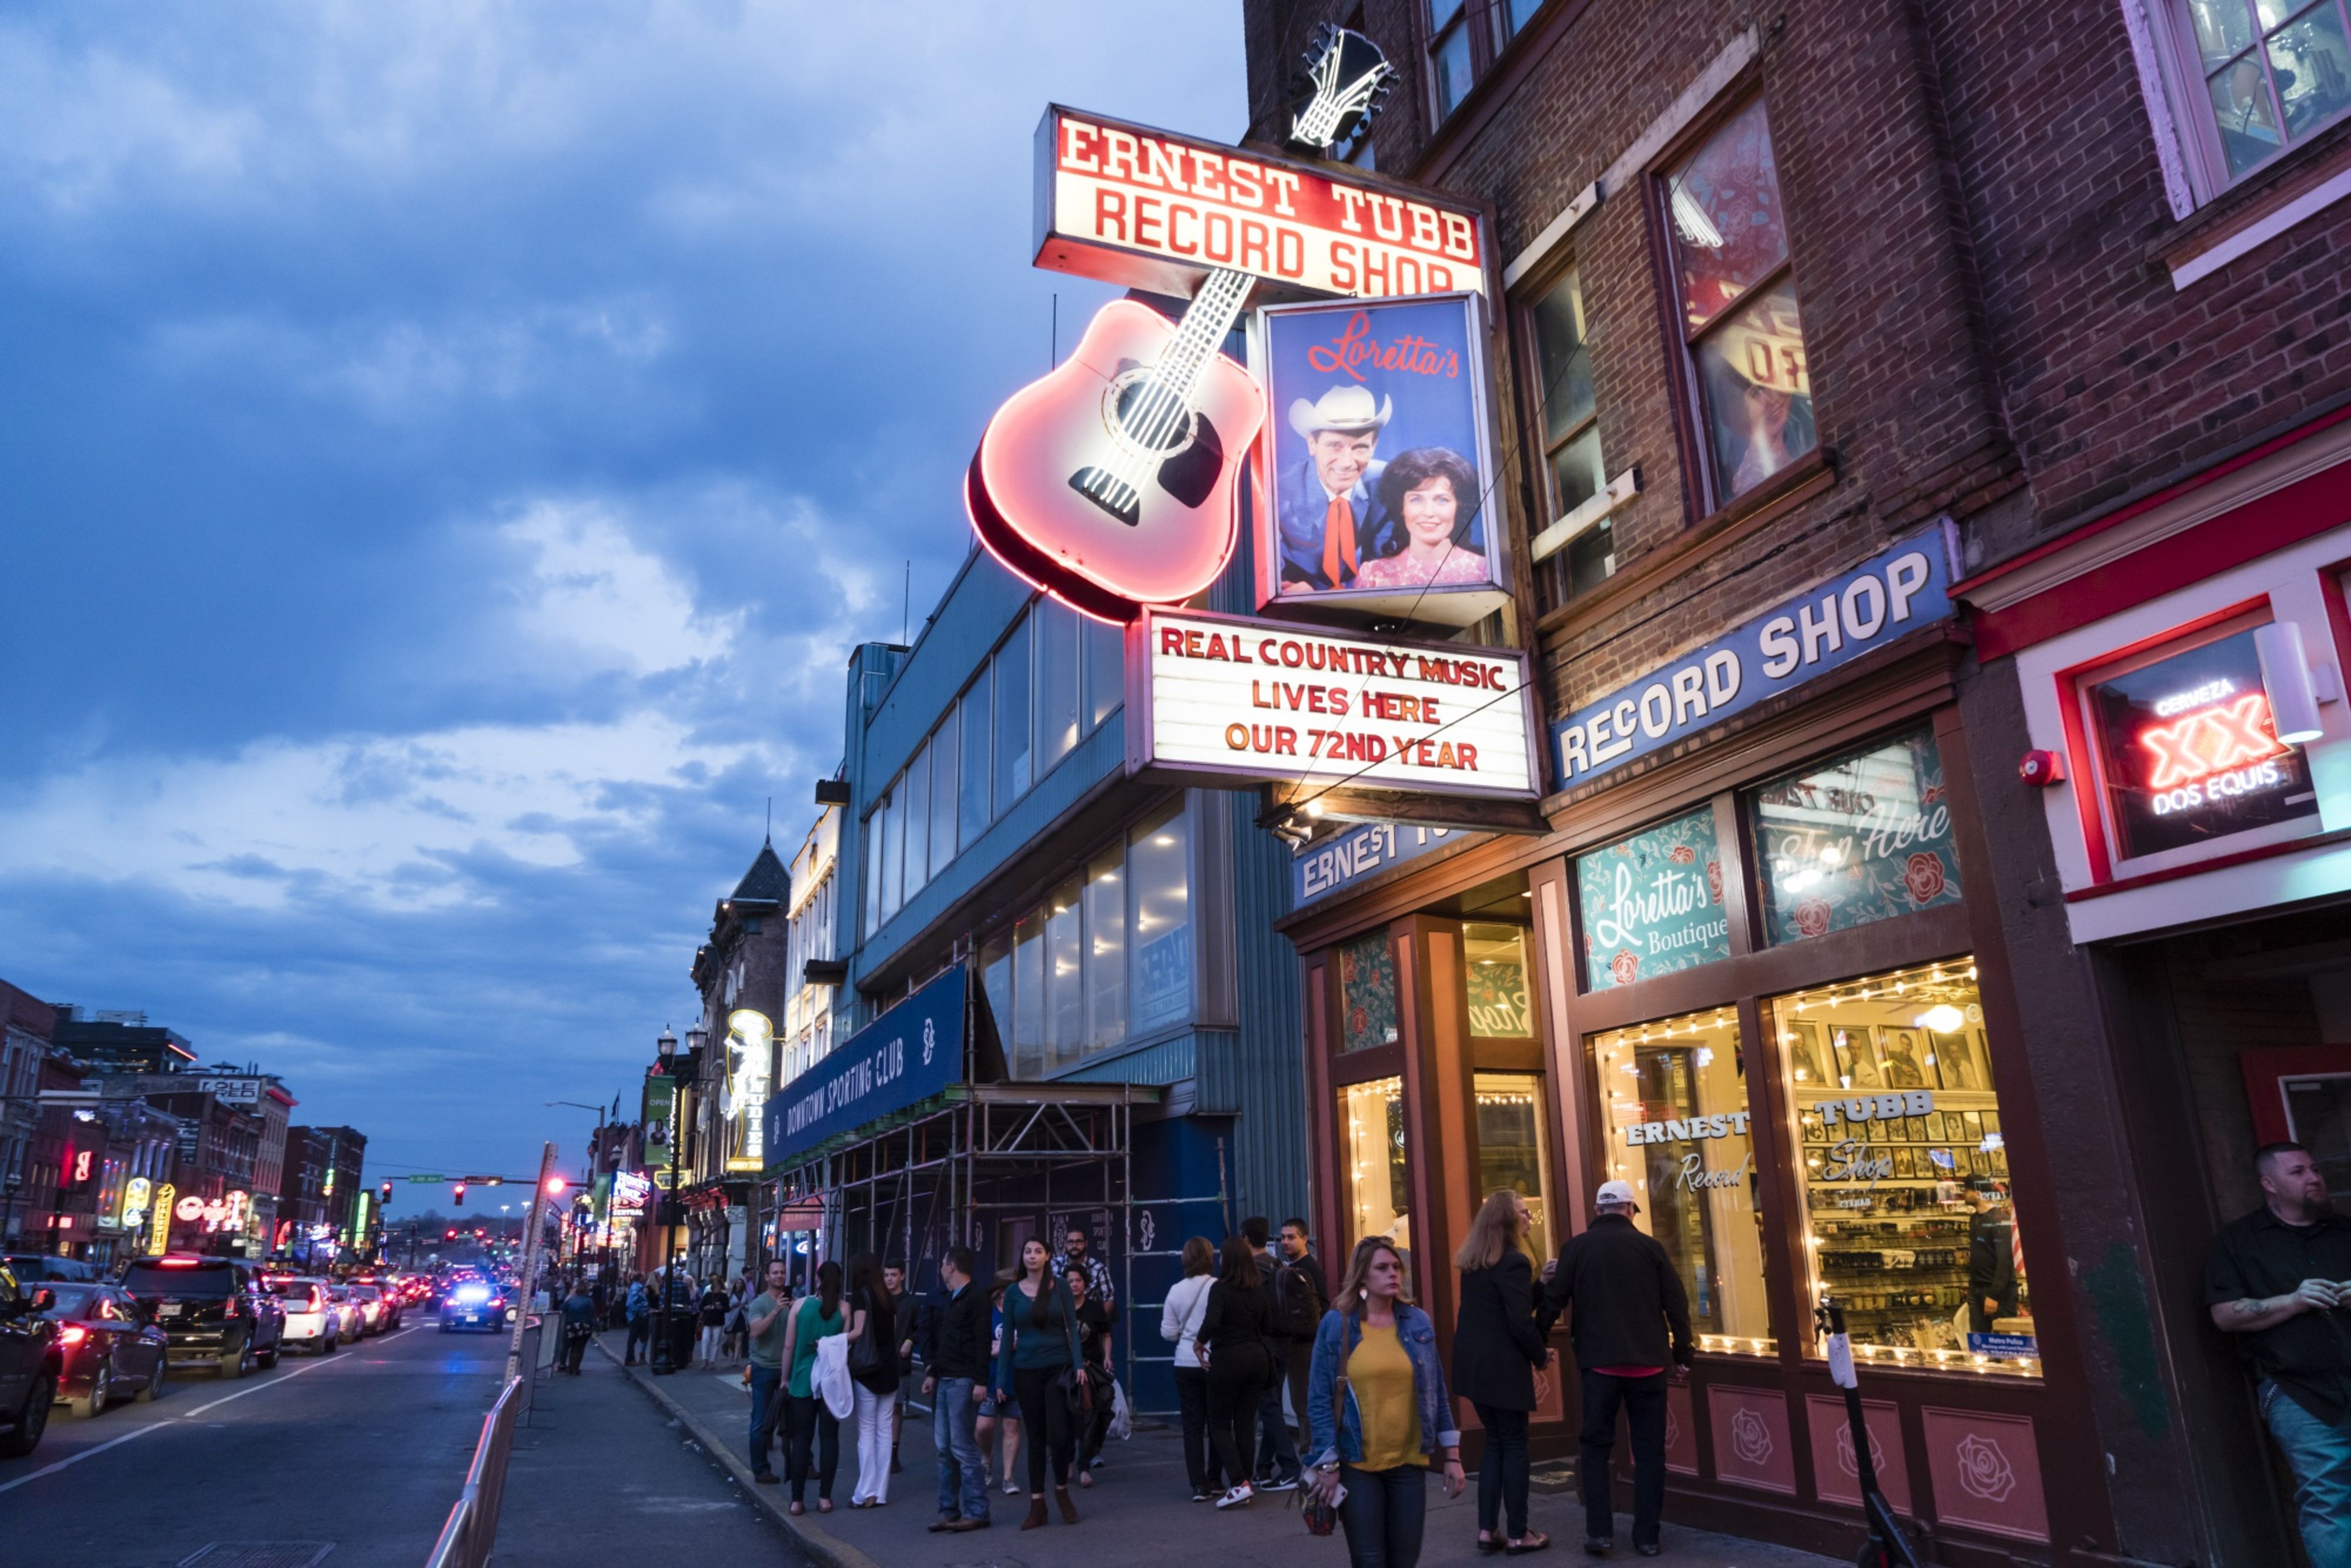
1739 307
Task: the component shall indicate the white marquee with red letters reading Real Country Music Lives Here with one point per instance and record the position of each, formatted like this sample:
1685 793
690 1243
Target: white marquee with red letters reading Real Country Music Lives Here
1271 702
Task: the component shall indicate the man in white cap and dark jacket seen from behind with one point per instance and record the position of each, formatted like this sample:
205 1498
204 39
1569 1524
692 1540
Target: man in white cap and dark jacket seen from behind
1633 1320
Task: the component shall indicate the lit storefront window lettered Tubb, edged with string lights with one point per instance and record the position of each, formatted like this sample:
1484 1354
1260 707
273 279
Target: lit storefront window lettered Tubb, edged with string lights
1908 1219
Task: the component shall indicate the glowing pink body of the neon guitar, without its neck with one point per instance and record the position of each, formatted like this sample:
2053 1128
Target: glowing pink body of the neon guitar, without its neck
1108 558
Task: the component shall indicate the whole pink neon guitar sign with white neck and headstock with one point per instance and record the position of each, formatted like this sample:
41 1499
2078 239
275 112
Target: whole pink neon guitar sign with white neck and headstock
1113 481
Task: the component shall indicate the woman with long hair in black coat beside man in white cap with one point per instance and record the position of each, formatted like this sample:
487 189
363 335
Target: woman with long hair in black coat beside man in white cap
1496 1355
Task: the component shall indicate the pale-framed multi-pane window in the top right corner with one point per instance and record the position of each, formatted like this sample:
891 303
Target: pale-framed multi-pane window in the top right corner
2272 74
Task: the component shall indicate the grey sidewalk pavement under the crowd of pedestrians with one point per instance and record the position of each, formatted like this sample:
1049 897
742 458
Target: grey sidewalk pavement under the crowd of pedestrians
1139 1503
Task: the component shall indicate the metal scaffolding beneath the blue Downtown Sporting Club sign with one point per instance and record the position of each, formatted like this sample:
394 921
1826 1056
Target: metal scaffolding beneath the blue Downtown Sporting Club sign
949 1172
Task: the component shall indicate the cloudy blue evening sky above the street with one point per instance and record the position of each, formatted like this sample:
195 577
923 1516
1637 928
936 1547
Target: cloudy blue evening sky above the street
446 457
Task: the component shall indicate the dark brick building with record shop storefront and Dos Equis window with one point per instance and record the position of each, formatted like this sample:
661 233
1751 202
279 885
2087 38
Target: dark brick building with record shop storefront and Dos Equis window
1779 295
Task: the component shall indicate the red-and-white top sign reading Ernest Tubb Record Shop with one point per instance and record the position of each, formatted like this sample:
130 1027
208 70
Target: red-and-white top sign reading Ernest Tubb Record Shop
1158 210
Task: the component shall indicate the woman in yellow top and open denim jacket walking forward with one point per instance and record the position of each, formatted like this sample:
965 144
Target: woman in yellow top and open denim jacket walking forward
1377 1398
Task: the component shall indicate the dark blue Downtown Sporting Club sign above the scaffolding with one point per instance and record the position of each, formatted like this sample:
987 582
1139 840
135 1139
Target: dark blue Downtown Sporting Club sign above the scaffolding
902 1059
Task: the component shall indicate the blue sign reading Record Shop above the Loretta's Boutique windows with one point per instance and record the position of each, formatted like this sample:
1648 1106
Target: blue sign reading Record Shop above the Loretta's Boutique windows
1891 596
